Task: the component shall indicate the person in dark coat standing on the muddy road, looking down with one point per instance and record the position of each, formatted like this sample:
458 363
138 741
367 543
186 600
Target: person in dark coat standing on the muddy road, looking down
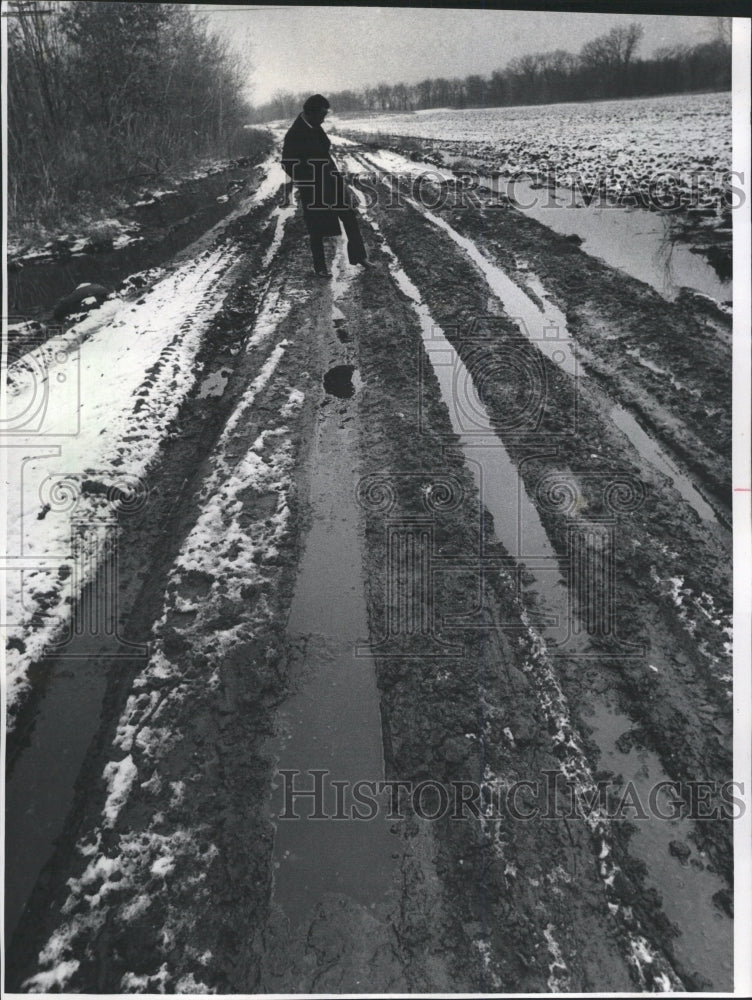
325 200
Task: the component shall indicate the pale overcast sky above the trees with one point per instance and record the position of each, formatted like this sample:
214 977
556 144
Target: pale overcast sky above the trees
325 49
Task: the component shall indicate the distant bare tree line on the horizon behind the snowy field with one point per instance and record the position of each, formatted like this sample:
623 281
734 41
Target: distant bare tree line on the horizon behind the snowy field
606 67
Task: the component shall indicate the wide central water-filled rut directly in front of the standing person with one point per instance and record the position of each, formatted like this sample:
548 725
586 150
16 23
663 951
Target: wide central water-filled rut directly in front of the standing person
332 722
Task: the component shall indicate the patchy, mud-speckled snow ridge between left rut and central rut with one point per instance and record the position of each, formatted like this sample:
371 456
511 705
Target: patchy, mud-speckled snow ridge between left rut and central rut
234 553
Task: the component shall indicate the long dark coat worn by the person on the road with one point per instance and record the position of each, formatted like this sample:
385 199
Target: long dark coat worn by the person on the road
306 158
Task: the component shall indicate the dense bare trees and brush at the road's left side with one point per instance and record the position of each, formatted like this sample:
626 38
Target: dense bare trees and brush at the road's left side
101 94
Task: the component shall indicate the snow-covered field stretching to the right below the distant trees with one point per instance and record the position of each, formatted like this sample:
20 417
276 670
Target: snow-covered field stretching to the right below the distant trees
617 140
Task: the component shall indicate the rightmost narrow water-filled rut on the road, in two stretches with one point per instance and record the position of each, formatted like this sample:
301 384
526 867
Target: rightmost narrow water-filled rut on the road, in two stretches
553 336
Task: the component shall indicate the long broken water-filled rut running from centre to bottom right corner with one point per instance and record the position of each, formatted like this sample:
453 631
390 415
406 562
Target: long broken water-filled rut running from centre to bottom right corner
705 942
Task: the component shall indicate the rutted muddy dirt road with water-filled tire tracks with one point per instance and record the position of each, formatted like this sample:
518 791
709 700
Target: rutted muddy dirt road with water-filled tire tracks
438 552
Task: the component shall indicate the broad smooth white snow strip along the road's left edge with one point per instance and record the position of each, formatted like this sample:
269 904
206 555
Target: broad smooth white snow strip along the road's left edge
89 411
